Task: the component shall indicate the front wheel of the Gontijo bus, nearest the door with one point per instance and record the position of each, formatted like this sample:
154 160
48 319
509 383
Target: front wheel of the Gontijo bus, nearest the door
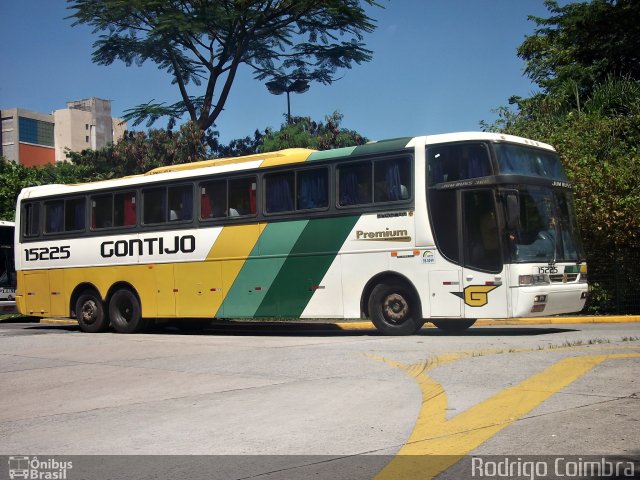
393 310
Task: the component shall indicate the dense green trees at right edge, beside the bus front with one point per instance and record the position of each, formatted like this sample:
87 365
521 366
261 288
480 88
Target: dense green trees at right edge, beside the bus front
584 57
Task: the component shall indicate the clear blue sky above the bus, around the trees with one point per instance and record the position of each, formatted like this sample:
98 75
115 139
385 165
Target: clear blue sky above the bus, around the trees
439 66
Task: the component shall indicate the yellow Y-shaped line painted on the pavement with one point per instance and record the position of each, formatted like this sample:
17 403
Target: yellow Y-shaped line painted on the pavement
437 443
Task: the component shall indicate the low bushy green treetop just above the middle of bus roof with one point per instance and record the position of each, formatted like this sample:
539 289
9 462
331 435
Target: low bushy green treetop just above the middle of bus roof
303 132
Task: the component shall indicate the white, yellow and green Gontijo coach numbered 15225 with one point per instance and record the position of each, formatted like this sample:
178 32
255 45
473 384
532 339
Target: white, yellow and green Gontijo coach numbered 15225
442 228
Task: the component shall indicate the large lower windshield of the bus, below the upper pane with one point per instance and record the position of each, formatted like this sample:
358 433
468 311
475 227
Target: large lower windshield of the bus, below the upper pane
547 231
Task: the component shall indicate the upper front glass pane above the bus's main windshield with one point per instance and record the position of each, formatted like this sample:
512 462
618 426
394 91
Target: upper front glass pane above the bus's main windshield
522 160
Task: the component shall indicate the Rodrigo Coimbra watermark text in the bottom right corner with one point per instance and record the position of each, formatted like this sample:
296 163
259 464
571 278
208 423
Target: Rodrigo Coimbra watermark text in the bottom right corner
558 467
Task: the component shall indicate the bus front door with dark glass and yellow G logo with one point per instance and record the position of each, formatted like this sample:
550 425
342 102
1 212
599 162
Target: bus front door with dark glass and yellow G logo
484 289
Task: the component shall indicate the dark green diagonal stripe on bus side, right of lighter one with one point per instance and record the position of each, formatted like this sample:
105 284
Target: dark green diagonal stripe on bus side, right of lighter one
306 266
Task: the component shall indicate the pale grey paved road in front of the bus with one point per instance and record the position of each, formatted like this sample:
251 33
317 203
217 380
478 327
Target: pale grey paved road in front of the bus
319 401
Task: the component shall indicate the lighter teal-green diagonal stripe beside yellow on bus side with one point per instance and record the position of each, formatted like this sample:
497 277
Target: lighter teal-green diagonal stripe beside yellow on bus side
260 269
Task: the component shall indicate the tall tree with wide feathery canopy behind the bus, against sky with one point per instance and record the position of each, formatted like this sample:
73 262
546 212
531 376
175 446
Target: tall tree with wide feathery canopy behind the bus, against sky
202 44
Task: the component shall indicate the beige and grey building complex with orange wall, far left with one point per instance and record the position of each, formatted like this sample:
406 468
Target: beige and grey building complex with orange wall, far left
32 138
